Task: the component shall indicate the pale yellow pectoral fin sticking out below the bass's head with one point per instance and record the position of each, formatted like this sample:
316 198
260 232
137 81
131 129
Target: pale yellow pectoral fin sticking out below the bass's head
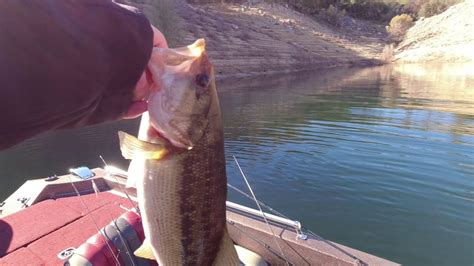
132 147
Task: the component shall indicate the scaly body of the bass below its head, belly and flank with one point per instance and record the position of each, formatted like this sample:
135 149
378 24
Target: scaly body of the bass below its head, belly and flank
190 195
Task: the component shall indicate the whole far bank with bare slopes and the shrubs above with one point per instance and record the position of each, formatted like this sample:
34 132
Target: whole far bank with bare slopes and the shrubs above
255 37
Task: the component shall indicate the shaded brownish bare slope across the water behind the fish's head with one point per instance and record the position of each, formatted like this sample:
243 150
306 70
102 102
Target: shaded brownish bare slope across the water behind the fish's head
266 38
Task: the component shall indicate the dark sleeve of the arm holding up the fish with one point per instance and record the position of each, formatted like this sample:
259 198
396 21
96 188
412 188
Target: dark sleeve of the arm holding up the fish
67 63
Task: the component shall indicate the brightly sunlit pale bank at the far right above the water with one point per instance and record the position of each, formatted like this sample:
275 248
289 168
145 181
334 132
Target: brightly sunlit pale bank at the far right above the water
444 38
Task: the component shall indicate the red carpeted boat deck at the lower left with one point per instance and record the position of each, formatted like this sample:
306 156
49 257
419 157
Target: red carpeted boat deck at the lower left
37 234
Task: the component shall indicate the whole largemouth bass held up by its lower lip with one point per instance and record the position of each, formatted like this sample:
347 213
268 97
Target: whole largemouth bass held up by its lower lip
180 163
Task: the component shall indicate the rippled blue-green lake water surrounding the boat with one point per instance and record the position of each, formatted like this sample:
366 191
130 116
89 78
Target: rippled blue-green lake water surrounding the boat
379 159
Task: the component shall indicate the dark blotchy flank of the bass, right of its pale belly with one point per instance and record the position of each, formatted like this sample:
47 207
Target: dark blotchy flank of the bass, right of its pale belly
201 202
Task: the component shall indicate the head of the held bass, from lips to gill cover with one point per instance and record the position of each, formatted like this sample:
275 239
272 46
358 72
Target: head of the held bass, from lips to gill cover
179 108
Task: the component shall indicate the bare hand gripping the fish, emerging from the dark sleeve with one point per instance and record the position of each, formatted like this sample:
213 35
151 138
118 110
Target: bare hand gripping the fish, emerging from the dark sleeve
144 84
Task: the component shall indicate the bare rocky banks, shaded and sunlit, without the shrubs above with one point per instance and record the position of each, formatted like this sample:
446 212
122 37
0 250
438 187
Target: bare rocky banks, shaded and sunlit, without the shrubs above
266 39
